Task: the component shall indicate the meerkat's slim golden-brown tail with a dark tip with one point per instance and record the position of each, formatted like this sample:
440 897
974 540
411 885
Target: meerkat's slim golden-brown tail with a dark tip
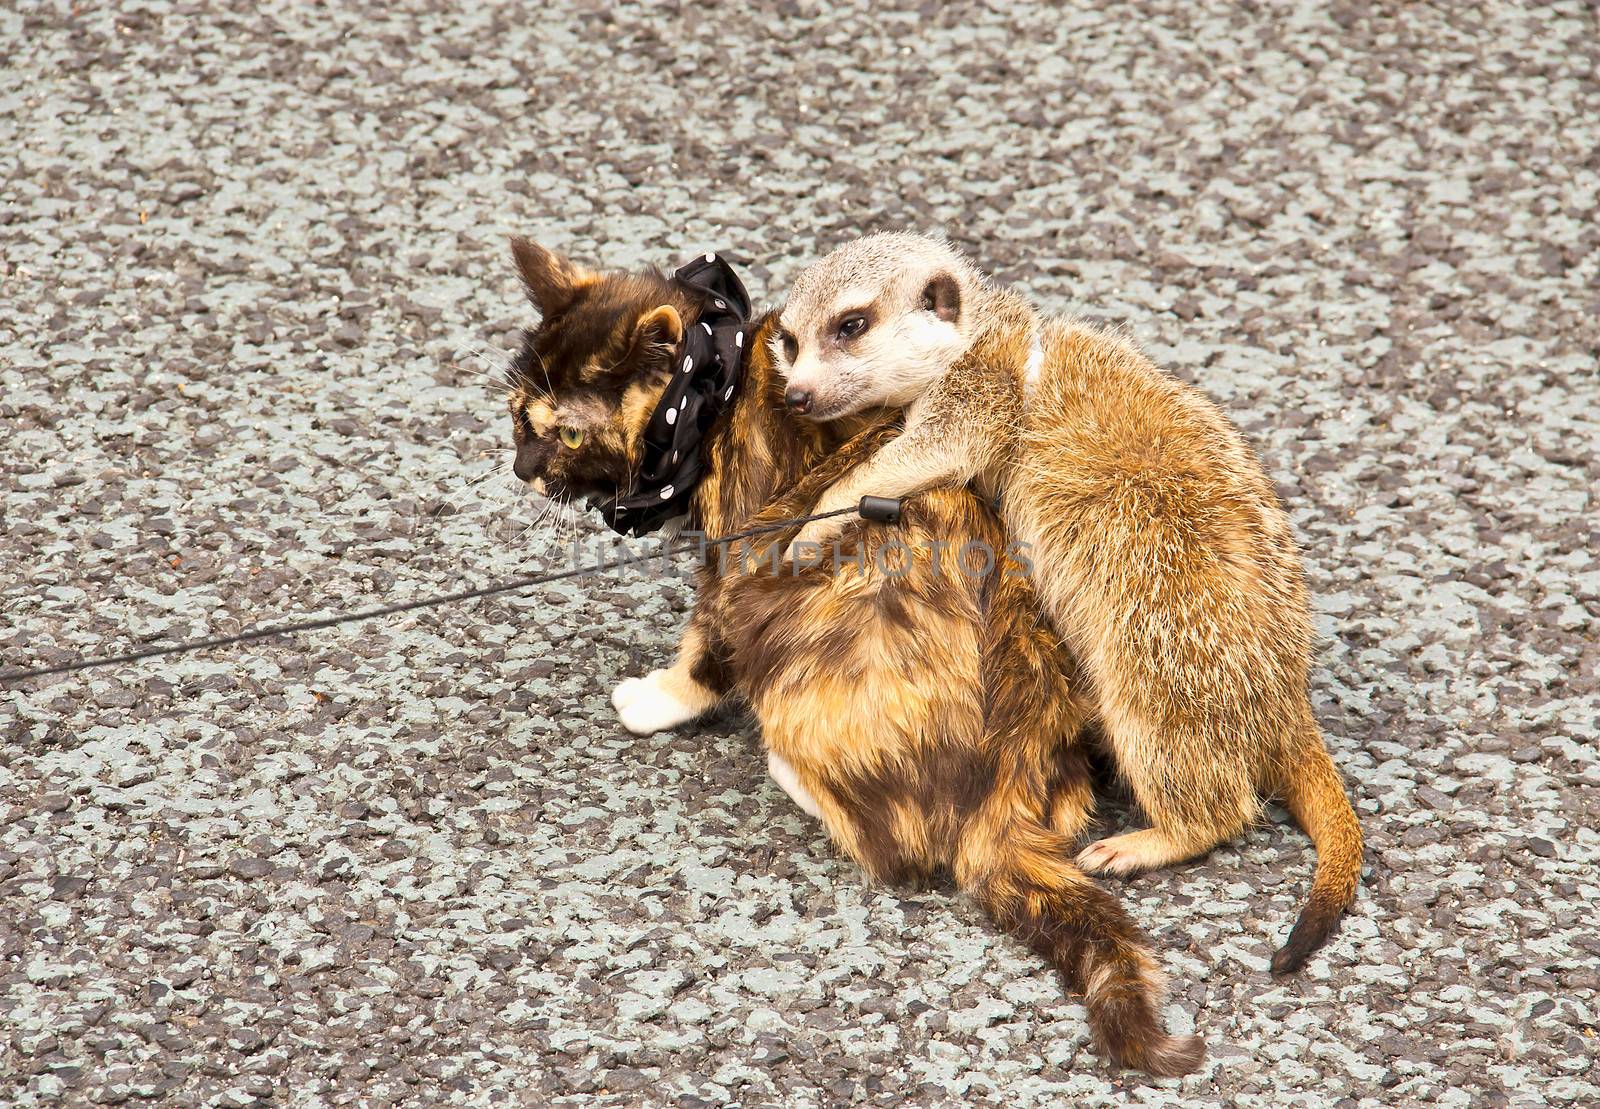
1314 795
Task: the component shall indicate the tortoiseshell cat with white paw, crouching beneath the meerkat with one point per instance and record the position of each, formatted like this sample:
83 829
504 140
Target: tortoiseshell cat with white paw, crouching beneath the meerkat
924 716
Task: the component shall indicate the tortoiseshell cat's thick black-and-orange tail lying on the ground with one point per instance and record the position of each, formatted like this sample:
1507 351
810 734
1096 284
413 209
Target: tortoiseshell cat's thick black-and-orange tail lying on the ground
1020 873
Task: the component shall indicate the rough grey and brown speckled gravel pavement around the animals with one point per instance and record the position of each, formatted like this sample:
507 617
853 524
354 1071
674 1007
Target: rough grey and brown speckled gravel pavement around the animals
254 265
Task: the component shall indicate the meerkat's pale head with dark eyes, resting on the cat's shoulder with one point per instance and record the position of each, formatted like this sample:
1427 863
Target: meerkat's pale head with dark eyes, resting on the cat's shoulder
874 324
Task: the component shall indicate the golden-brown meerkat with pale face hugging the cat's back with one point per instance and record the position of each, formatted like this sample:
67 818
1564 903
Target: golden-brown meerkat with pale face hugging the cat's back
1158 543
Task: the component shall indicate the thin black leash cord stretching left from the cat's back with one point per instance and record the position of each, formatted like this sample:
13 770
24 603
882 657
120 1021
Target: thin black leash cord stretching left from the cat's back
868 511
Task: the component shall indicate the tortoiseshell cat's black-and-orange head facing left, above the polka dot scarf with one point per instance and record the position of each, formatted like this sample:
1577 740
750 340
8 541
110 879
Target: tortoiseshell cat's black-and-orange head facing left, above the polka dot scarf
588 378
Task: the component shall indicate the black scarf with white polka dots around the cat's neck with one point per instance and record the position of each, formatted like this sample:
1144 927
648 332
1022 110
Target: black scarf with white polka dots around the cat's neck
705 378
